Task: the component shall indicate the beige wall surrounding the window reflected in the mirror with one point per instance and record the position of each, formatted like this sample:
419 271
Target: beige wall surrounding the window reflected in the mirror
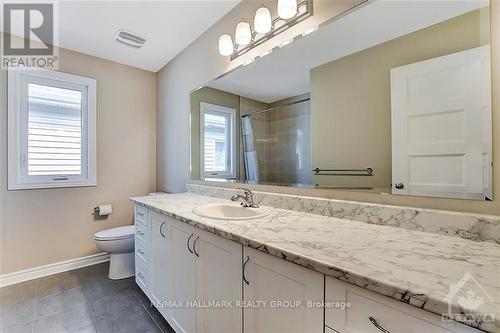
217 97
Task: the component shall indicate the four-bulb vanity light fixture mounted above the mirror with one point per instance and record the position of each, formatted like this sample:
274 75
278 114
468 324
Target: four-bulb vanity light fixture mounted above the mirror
264 27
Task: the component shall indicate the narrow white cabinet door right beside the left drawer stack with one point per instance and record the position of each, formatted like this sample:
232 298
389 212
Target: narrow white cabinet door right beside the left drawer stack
159 258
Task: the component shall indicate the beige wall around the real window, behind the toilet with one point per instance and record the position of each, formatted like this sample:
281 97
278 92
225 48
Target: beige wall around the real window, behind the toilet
43 226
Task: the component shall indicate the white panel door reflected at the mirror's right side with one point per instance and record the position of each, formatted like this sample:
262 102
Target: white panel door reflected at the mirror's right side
440 144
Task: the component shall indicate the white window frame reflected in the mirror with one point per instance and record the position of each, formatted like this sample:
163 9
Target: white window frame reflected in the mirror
217 110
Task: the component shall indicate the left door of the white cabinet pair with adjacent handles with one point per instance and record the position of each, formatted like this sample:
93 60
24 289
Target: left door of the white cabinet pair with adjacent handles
182 278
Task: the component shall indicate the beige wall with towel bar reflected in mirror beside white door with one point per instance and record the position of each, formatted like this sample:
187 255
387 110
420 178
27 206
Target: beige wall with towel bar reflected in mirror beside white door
351 98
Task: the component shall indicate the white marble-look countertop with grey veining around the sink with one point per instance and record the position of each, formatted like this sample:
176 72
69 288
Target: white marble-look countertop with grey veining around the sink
414 267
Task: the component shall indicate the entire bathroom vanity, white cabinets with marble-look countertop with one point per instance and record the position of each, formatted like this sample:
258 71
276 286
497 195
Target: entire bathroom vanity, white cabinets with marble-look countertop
292 271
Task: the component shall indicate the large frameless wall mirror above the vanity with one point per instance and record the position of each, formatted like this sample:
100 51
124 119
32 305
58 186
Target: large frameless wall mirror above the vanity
394 97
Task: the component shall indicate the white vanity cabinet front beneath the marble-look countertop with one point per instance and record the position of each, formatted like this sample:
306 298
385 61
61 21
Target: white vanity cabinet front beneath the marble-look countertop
183 269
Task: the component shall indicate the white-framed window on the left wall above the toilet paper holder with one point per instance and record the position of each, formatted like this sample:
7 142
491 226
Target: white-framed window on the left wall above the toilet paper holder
51 130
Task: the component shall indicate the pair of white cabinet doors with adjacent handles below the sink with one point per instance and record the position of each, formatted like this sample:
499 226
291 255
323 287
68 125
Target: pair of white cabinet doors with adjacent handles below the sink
204 267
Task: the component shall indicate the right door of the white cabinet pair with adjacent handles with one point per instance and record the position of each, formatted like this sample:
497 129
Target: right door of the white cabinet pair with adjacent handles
218 278
